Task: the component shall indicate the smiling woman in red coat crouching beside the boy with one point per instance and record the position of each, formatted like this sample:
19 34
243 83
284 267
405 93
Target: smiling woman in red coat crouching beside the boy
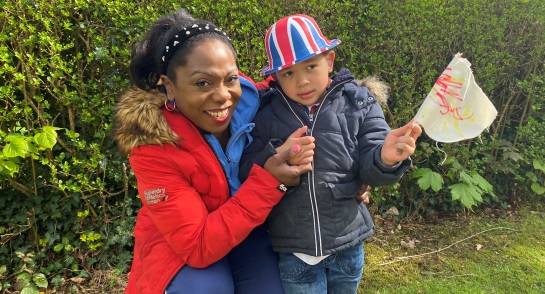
184 126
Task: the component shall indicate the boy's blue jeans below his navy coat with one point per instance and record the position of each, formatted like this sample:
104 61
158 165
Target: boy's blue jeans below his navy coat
339 273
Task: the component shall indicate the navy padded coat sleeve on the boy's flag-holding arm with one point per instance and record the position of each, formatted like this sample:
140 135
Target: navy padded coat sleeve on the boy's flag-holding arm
371 137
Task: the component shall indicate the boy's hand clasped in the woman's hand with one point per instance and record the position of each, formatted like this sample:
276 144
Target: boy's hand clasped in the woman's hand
306 144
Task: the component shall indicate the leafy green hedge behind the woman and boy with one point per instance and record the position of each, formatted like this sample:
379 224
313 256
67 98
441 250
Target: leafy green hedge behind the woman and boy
69 200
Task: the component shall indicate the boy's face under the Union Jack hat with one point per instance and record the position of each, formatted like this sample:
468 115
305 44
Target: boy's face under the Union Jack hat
306 81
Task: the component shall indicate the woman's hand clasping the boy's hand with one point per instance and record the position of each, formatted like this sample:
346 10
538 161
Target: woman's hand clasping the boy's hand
287 174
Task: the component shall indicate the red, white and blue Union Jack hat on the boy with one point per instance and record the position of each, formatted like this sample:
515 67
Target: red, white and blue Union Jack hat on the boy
293 39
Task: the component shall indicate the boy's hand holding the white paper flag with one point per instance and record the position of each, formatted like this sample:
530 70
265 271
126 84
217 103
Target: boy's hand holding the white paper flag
400 143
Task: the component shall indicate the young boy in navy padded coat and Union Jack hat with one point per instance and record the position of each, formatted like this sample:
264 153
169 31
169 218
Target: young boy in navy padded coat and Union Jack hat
318 227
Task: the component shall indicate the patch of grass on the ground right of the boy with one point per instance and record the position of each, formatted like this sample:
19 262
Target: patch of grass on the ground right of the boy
488 252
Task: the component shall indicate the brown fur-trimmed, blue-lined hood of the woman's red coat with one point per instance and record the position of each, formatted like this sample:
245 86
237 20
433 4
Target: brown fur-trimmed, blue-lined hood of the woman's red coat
139 118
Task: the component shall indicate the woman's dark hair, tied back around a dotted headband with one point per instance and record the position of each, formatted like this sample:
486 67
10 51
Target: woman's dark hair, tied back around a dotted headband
146 64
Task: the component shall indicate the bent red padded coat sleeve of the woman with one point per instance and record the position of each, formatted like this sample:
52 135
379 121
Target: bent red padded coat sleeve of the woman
199 234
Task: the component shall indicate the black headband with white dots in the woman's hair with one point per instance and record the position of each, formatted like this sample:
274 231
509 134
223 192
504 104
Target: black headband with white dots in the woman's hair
184 35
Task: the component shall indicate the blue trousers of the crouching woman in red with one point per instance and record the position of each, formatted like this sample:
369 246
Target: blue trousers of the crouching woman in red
251 267
